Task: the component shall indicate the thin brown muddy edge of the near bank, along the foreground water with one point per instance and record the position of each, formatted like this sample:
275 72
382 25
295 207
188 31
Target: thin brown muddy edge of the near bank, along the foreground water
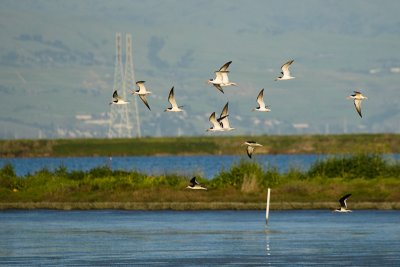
190 206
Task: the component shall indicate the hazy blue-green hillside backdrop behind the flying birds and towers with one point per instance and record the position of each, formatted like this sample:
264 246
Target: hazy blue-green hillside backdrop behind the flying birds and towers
57 63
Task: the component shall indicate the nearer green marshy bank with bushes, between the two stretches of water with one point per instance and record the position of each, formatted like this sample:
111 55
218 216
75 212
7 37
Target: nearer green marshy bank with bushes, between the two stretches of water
373 181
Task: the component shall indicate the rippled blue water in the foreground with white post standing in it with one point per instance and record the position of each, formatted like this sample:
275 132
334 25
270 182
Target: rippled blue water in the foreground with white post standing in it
199 238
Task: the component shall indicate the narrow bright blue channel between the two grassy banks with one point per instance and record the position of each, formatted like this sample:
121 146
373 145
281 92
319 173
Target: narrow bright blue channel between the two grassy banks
208 166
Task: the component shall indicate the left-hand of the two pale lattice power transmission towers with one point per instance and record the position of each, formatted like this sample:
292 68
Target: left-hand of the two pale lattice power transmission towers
119 114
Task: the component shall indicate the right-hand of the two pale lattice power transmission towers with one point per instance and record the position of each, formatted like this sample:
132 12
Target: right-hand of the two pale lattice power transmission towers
129 82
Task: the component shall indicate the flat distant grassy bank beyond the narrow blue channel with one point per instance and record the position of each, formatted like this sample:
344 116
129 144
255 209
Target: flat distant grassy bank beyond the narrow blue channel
293 144
